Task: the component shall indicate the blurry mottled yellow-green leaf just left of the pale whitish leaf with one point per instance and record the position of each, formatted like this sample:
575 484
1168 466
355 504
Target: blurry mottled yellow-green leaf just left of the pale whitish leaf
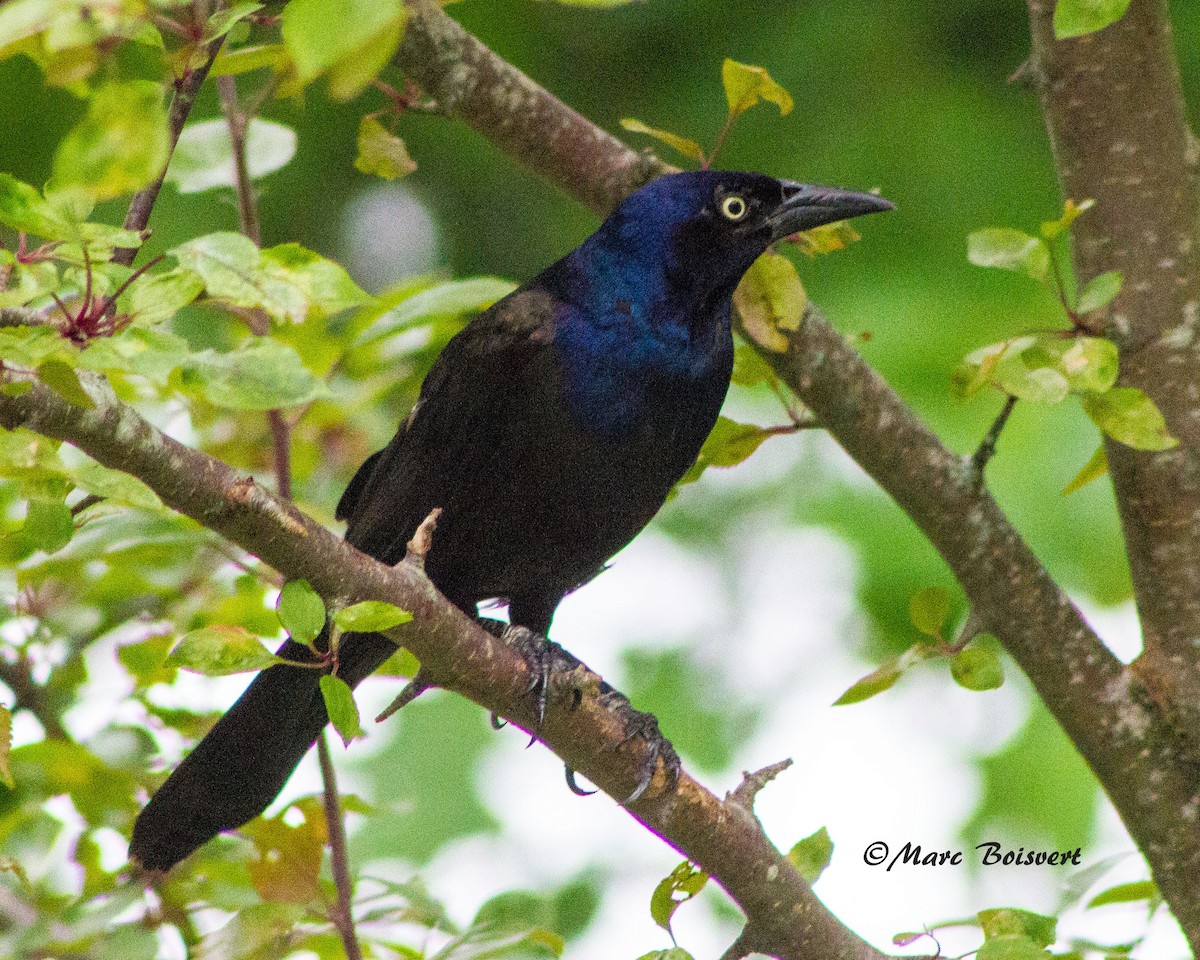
119 147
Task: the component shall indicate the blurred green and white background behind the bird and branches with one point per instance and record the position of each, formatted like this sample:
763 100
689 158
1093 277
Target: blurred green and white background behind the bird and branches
758 597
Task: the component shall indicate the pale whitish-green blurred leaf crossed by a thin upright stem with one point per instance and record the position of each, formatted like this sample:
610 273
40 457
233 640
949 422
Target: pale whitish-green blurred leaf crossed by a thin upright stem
203 158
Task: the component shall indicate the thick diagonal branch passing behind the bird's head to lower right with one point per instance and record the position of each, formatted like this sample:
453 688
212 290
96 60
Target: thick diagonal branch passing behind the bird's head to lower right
1101 705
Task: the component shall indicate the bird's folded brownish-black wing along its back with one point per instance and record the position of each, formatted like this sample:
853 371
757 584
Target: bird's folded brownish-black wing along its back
449 437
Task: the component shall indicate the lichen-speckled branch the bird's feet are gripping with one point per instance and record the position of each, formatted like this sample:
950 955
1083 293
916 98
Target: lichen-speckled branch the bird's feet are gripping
724 838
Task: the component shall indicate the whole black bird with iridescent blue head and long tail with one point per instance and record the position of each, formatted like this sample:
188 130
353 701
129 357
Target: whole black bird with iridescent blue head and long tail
550 430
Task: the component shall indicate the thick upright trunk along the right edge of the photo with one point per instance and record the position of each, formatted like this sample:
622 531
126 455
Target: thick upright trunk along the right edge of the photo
1115 113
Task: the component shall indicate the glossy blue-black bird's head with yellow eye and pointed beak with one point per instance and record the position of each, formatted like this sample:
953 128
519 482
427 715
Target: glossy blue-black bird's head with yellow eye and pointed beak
707 227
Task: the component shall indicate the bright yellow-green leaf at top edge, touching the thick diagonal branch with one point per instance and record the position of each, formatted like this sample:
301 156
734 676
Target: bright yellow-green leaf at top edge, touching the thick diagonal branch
315 47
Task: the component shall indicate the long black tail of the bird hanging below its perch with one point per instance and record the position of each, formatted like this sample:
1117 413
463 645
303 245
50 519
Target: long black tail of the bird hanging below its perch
243 764
